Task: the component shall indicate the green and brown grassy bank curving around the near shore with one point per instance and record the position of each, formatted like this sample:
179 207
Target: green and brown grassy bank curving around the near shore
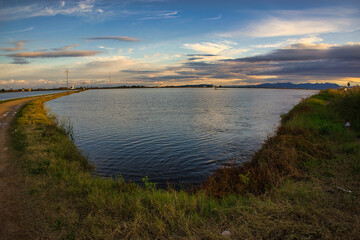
303 184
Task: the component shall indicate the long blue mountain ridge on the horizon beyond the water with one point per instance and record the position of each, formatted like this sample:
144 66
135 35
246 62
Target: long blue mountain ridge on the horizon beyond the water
316 86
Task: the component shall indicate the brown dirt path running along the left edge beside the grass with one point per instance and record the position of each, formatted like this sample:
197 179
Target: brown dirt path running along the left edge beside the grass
12 223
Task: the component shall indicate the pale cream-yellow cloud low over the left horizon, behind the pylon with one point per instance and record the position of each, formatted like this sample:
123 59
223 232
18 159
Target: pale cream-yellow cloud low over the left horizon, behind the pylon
93 70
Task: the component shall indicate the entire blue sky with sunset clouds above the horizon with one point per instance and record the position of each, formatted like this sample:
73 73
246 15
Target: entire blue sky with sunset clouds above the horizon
178 42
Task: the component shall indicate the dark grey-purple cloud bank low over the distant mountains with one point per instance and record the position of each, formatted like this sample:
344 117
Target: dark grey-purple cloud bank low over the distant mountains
296 63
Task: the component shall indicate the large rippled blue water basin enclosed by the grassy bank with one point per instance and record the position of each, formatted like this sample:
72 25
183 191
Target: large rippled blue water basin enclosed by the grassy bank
172 135
